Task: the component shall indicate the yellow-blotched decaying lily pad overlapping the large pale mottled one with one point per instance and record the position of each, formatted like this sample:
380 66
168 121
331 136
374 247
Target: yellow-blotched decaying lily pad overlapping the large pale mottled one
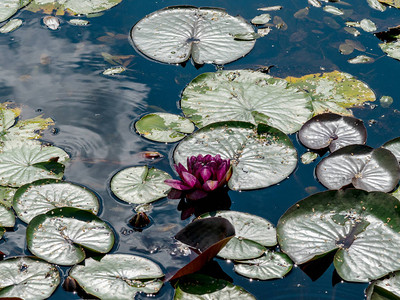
333 92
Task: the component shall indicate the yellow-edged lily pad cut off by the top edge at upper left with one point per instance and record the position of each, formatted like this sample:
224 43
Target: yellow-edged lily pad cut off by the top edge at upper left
77 7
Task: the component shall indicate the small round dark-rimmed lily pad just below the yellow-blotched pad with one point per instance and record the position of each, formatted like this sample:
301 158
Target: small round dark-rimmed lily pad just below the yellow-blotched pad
333 131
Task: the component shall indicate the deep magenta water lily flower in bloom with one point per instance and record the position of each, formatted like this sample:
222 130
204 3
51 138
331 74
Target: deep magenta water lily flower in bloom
203 175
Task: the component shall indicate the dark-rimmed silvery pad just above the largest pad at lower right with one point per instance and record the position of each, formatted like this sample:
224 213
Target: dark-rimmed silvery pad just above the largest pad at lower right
362 166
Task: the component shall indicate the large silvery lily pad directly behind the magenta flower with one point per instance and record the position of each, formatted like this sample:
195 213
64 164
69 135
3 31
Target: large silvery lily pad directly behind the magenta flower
253 151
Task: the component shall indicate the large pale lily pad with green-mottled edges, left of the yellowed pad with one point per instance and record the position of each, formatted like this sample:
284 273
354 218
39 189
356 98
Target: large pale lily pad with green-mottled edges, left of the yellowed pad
245 95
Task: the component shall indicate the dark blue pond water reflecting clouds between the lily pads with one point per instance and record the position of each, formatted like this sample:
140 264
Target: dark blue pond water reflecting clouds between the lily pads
59 74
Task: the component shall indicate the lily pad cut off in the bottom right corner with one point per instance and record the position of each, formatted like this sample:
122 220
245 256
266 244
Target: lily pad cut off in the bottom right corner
385 289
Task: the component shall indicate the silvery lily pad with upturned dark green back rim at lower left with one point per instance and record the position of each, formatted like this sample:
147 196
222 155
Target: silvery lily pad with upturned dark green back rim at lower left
60 235
